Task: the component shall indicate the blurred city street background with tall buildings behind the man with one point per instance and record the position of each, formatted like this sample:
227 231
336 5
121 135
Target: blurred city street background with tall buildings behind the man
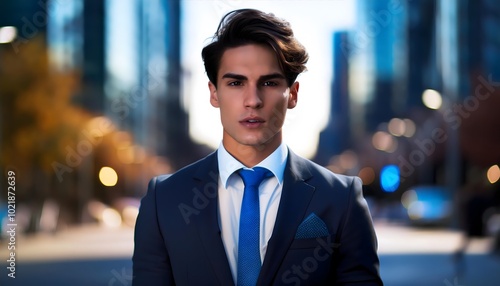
98 96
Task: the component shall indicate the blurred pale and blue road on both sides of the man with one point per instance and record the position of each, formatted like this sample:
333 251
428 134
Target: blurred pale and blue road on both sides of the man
93 255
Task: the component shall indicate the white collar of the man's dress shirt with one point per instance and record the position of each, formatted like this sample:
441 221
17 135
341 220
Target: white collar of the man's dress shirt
275 163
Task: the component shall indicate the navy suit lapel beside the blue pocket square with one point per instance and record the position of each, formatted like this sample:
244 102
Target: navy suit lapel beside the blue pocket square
295 199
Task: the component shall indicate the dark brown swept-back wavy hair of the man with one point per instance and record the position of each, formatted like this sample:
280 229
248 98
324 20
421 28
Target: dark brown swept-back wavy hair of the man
249 26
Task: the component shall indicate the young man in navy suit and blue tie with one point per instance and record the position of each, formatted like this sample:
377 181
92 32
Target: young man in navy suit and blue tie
303 226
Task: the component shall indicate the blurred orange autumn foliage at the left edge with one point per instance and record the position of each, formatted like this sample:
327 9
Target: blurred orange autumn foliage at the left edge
38 118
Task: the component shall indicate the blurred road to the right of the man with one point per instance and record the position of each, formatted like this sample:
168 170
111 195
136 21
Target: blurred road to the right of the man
417 257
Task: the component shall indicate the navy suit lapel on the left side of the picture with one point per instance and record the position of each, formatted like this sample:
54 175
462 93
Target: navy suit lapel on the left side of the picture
207 222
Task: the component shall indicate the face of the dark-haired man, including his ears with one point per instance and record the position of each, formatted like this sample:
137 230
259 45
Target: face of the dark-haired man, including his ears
253 97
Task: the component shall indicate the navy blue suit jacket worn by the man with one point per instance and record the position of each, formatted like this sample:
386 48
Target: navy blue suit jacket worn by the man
178 241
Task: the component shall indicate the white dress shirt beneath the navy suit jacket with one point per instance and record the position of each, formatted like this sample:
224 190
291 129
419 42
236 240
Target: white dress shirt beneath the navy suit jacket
230 193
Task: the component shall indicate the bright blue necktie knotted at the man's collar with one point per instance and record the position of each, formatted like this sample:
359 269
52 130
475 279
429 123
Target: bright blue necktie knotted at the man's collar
248 243
